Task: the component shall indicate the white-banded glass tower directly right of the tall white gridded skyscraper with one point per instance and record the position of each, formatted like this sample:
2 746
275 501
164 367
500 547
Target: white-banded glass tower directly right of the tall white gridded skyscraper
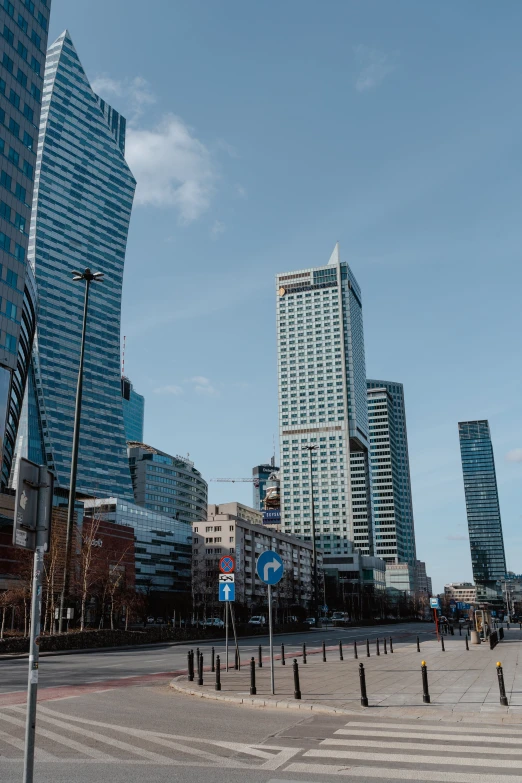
390 473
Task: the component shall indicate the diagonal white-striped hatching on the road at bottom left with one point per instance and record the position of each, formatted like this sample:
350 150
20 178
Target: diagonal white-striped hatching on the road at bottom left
66 738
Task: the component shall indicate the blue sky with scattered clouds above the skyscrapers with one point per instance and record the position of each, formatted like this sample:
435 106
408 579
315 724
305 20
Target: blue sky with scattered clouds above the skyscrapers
262 133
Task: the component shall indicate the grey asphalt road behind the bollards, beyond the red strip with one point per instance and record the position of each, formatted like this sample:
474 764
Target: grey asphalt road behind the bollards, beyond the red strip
115 665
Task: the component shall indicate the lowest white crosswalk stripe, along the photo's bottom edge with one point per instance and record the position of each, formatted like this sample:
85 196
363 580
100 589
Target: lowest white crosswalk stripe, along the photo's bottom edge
400 774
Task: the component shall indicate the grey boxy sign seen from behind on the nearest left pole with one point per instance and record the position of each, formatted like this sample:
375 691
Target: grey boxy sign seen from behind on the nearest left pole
25 534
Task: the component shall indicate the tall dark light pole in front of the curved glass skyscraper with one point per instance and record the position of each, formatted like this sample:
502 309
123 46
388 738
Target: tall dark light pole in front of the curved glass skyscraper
89 277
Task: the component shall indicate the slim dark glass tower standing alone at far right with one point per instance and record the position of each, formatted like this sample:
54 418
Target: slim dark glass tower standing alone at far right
488 559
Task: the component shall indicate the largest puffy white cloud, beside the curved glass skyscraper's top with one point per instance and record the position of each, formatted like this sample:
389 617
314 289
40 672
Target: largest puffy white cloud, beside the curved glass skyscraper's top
172 168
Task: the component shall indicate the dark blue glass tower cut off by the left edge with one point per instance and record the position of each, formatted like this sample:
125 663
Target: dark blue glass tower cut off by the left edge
24 27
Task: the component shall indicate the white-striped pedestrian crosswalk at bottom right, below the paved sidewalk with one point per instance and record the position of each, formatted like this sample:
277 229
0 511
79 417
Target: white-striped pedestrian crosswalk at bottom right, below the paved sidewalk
416 751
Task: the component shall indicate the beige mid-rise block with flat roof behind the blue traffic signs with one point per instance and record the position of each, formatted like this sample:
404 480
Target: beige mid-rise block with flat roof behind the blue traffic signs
232 528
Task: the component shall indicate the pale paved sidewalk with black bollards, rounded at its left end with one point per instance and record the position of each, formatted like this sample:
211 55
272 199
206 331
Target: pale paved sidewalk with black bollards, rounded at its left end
461 683
